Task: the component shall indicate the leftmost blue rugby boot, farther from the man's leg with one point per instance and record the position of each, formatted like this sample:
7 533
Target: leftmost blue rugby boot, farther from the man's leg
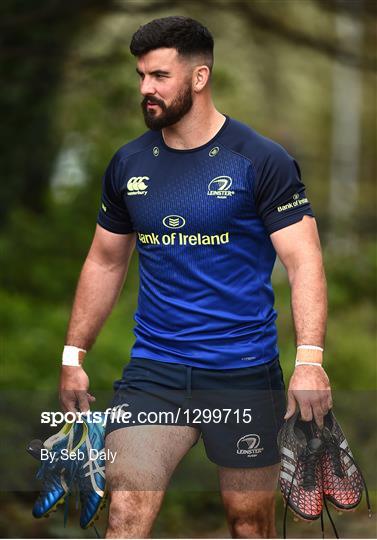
57 471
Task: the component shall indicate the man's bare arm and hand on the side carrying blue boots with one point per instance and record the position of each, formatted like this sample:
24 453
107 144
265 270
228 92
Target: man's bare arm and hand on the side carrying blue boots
100 283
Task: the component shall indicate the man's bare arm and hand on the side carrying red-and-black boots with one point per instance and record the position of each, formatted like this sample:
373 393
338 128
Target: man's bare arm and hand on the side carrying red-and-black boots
298 247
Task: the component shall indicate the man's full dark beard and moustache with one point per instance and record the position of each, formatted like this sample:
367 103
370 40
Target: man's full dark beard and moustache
169 115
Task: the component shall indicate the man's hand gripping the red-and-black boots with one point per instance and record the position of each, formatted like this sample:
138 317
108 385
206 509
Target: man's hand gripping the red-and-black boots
309 387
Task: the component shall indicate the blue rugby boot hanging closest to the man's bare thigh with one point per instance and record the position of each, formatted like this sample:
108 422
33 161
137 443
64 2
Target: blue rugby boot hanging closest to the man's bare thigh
91 472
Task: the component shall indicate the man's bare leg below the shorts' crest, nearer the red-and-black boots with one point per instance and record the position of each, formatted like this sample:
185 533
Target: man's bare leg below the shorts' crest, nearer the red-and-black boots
249 500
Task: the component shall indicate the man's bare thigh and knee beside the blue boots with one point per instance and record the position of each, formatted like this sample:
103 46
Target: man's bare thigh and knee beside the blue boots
145 460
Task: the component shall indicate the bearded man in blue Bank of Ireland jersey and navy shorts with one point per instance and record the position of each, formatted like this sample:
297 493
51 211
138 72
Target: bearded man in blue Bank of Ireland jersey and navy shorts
209 202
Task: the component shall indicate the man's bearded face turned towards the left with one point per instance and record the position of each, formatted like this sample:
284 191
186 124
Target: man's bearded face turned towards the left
166 84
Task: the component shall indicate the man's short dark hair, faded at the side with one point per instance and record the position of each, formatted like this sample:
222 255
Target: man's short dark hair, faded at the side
187 36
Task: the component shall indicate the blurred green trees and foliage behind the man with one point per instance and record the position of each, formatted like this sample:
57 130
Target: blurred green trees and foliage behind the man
302 72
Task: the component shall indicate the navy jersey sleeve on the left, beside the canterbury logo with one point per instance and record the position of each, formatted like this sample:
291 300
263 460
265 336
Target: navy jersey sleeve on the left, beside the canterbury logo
113 214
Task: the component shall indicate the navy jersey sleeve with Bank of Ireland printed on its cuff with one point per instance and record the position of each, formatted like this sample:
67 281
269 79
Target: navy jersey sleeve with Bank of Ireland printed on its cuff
279 192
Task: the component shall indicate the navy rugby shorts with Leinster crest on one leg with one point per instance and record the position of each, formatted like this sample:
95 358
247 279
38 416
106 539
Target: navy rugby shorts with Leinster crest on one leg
237 411
